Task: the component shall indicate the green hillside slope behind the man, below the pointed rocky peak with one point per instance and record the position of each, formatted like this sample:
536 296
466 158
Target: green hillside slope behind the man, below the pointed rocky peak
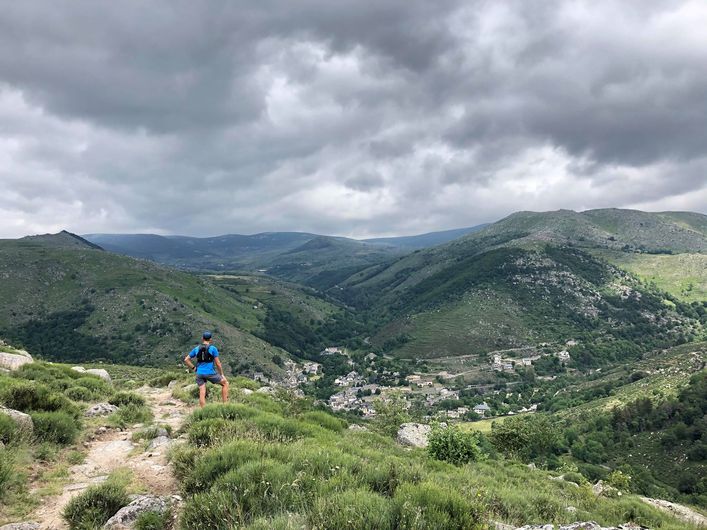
170 308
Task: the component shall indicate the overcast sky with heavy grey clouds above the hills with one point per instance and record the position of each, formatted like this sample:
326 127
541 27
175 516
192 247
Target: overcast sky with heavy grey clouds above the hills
359 118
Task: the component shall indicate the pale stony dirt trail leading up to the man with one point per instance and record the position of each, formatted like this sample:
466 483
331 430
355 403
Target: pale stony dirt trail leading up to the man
111 450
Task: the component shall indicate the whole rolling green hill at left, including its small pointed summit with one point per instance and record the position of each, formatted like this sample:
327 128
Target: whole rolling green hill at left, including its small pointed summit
64 299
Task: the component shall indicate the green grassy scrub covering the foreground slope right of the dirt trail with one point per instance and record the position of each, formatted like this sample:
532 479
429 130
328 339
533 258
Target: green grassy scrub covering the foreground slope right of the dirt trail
269 469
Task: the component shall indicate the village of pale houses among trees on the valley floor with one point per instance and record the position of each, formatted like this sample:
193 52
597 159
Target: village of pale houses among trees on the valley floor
357 383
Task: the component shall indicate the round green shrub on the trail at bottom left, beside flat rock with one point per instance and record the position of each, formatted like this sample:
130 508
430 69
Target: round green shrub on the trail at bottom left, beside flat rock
92 508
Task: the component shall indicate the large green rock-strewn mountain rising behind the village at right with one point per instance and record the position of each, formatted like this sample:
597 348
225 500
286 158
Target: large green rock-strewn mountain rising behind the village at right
529 279
